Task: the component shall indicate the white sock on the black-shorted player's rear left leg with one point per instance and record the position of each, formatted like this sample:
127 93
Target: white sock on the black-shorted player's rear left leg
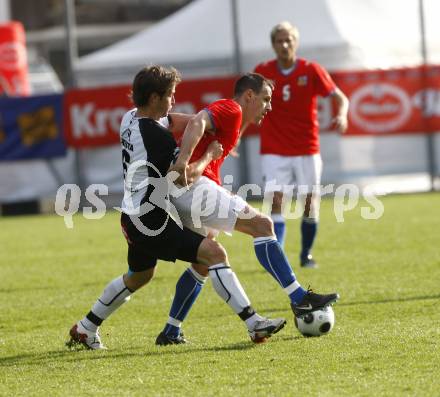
115 294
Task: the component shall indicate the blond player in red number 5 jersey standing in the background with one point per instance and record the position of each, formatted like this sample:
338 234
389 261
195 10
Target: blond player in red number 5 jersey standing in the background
290 133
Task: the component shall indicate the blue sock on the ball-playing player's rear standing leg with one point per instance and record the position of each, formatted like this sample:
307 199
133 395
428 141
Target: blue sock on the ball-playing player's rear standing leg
188 289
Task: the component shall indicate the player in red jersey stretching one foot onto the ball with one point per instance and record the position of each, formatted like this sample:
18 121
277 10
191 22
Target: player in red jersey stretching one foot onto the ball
206 207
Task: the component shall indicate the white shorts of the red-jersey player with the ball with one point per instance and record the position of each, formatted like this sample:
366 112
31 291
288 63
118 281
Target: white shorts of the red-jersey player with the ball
208 208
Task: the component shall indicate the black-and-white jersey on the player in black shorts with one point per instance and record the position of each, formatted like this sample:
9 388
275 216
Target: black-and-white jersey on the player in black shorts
148 149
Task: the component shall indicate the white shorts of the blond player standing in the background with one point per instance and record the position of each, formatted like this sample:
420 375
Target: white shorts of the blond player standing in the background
281 173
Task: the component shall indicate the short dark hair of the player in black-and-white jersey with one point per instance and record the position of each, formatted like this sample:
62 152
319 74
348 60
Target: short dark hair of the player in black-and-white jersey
152 79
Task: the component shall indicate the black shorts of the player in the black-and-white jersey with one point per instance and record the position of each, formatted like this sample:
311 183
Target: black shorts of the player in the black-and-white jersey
171 244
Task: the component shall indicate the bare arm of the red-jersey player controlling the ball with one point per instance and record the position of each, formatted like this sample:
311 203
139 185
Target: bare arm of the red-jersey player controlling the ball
193 133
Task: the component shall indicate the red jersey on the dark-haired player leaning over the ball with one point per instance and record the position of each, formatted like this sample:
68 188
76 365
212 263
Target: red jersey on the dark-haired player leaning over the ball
225 115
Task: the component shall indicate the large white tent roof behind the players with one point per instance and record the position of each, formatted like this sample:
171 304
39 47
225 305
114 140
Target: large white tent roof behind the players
339 34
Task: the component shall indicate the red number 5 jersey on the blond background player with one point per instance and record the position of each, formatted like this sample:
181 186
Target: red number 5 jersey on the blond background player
291 128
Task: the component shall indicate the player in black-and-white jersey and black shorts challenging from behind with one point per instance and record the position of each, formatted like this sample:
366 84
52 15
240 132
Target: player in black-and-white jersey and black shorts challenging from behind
147 220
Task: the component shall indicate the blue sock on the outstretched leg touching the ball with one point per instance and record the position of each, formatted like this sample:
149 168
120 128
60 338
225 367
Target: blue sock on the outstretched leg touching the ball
272 258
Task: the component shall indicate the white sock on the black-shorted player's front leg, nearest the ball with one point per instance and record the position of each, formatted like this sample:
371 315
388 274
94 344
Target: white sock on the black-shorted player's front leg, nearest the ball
228 287
